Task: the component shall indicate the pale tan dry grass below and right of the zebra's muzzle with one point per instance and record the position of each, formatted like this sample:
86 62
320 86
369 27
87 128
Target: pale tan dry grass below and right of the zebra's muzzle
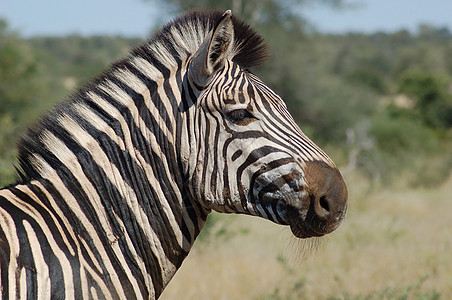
394 244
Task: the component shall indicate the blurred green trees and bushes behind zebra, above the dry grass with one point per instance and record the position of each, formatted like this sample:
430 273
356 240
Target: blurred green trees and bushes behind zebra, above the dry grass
380 104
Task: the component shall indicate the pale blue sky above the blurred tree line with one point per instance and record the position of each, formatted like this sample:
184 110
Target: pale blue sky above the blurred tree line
136 18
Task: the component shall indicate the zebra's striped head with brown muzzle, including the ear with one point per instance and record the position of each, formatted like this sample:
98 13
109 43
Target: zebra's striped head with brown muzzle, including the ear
247 155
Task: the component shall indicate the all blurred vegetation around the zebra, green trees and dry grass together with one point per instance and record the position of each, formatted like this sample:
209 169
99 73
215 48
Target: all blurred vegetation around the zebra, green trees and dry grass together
380 104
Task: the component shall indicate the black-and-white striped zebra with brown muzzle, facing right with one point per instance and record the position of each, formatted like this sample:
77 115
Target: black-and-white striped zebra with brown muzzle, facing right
116 182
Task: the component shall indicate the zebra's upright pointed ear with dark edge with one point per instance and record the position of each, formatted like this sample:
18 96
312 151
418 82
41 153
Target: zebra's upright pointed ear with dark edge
213 52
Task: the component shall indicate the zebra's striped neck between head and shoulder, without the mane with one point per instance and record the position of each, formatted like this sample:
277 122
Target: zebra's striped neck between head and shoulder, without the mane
110 160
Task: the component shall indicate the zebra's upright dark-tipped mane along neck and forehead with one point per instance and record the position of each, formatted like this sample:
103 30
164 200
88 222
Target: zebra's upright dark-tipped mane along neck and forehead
165 49
